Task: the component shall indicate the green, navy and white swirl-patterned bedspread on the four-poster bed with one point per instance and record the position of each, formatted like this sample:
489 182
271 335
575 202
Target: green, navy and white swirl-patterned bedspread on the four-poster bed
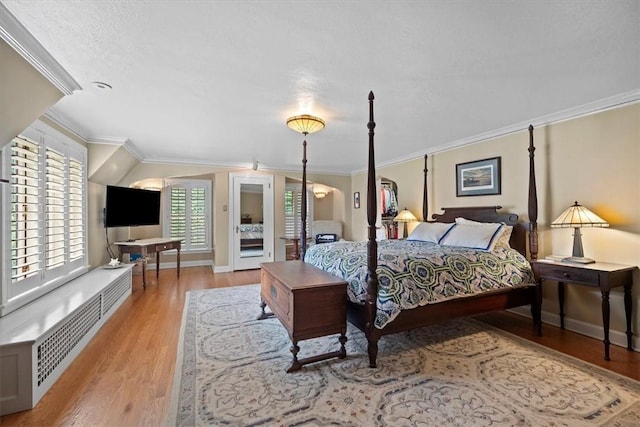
414 273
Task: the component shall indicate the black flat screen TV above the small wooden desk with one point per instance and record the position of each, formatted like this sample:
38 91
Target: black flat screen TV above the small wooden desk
130 207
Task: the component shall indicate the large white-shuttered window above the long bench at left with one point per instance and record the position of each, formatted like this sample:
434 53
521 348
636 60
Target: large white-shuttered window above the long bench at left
44 214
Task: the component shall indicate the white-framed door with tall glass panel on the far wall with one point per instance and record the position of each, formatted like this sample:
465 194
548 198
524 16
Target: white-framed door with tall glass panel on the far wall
251 221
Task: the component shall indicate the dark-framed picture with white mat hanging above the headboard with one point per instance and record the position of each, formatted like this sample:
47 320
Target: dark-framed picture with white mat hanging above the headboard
478 178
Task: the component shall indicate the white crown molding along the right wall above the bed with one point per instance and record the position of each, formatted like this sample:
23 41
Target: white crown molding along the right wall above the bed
595 107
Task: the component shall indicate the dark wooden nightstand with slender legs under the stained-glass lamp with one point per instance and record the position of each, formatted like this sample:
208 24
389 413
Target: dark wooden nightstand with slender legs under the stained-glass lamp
600 275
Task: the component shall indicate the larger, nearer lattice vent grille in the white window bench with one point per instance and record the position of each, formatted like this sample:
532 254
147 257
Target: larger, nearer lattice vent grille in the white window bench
61 342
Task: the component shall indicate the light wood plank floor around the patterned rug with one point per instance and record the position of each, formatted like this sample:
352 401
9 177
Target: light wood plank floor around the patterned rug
124 376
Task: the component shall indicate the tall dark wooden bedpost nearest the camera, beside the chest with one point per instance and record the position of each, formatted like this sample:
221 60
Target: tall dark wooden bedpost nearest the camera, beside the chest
372 246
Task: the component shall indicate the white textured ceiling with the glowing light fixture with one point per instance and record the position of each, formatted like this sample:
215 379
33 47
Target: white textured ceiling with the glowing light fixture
212 82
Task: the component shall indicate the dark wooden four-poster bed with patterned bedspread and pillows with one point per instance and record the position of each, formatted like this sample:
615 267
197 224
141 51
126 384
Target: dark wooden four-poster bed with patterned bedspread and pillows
376 308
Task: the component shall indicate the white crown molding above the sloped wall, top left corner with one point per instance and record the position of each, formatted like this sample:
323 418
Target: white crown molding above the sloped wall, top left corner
21 40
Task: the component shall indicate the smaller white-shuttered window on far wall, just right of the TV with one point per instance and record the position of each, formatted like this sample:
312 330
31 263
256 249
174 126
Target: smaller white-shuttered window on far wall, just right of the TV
188 213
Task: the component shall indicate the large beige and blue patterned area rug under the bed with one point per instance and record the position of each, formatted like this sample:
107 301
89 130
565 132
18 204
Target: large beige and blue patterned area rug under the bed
231 371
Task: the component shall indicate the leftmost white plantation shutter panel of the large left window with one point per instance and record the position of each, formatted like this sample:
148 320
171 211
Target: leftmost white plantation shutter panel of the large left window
25 210
